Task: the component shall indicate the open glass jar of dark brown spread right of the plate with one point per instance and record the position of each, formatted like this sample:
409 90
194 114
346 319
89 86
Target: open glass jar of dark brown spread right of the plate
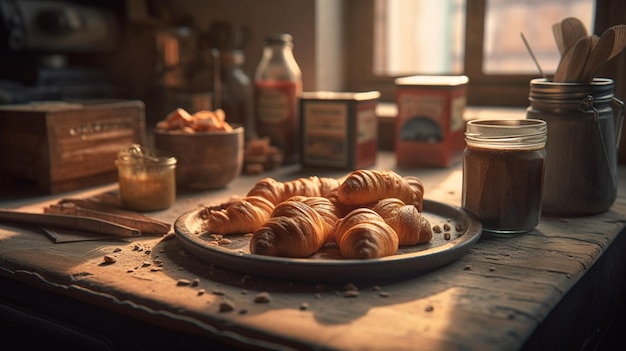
503 167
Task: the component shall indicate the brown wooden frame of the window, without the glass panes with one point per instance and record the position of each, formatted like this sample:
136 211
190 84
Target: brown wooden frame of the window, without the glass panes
483 89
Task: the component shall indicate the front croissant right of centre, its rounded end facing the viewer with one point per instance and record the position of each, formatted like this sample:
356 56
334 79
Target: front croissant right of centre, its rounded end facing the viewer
363 234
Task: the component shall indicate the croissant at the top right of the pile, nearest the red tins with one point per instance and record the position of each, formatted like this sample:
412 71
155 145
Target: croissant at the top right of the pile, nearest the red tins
363 187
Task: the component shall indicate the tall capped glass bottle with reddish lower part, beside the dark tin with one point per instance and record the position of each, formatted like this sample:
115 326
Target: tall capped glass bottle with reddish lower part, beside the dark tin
278 86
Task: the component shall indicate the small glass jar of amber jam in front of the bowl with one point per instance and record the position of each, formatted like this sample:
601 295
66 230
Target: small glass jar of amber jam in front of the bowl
146 182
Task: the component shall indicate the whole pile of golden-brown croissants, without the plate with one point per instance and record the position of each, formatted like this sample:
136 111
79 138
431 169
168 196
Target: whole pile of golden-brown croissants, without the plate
368 214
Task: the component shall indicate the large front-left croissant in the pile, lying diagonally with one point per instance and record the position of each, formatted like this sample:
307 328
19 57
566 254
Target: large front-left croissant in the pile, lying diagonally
295 229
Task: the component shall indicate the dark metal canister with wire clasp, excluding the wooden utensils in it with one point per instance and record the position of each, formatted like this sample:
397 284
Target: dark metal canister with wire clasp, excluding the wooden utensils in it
584 127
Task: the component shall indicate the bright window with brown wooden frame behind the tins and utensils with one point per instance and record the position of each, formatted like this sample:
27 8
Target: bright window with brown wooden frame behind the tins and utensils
479 38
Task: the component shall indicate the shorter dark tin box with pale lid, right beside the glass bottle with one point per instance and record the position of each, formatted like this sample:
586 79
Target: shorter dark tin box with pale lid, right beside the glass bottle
339 129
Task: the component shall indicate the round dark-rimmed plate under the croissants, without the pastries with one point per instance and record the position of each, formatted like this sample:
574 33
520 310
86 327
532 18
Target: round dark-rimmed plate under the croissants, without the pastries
327 265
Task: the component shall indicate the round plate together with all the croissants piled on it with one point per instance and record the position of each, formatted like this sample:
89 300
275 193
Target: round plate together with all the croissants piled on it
367 225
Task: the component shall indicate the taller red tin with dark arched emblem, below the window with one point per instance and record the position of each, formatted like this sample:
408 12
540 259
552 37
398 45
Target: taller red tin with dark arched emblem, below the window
430 126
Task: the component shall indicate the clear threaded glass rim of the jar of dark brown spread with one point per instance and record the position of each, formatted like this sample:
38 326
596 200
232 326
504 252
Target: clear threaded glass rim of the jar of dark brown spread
507 134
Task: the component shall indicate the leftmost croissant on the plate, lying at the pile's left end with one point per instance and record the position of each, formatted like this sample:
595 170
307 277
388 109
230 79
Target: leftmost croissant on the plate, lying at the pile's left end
241 216
